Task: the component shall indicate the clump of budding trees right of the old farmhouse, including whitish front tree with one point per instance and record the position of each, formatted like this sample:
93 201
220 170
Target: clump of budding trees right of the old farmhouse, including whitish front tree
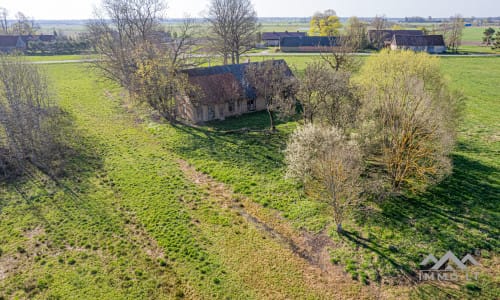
388 131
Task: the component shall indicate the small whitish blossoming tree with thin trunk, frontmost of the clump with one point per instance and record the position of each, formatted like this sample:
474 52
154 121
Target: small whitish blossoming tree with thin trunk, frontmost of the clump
329 166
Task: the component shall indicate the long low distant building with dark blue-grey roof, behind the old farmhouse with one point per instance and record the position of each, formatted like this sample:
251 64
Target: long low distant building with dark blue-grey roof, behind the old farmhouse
308 44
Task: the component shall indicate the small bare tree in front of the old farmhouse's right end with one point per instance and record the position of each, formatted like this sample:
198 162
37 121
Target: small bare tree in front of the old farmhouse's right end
273 81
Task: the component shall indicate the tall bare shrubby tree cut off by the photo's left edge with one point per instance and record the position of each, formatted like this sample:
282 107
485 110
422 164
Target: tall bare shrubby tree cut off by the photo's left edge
28 117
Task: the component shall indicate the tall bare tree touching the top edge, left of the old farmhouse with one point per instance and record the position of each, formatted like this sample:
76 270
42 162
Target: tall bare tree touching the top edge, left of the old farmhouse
119 30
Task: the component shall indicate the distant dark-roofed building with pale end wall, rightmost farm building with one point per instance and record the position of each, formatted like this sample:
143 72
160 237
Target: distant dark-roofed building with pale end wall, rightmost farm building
429 43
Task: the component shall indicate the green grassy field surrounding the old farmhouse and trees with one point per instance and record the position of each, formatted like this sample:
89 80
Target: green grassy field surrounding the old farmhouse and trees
136 217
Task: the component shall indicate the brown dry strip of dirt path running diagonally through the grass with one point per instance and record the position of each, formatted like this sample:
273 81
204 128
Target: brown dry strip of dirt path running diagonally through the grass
311 249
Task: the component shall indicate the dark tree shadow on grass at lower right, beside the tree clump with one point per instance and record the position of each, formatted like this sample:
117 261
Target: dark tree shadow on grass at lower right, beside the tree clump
460 214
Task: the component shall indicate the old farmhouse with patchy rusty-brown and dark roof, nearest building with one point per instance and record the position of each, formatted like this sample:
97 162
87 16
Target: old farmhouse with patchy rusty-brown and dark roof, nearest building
222 91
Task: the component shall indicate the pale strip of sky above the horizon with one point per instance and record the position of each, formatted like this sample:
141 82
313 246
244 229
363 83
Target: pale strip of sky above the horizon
82 9
